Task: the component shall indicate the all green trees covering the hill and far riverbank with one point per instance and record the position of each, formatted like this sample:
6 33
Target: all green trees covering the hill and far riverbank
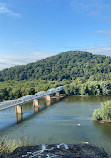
86 74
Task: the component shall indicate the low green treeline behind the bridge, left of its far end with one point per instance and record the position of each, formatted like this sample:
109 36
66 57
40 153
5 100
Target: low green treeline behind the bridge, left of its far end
15 89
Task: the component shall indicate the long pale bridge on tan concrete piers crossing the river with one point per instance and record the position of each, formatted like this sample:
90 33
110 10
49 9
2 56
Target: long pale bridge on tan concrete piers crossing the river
29 98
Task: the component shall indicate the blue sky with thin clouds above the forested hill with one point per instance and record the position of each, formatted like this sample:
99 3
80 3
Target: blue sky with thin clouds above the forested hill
34 29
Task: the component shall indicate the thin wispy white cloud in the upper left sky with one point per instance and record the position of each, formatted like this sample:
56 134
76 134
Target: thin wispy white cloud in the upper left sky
4 10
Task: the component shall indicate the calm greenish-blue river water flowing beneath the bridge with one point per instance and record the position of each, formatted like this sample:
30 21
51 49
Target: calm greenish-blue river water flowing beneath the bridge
67 121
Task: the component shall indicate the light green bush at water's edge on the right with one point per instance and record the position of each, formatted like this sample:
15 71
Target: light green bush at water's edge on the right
104 113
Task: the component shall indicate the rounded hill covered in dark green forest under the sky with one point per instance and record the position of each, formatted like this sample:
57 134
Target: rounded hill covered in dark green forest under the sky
66 65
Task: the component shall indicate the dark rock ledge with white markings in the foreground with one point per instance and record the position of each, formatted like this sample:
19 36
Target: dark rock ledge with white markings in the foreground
58 151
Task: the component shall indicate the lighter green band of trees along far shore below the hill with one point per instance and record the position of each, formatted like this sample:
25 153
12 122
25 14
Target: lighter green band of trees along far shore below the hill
16 89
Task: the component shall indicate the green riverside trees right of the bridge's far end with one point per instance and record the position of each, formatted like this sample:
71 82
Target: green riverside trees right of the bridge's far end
89 88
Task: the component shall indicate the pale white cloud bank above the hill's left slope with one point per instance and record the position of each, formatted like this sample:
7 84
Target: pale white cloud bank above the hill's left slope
7 61
